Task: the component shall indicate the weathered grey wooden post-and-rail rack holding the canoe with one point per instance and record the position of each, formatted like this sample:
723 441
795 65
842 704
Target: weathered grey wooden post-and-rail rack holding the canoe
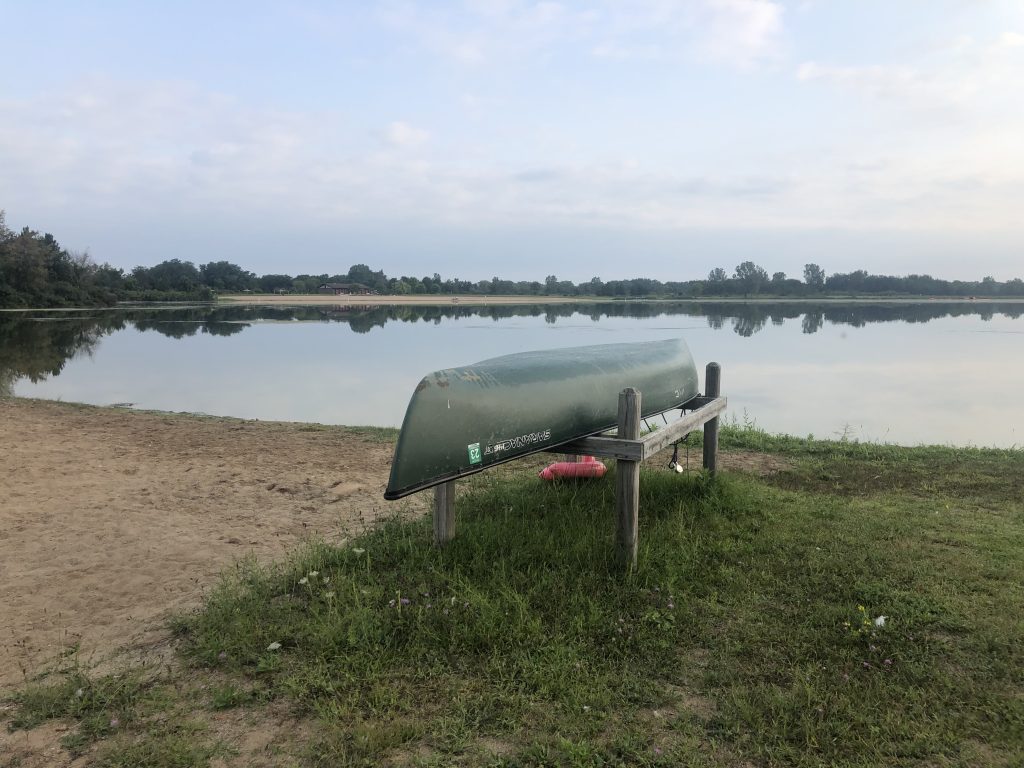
629 449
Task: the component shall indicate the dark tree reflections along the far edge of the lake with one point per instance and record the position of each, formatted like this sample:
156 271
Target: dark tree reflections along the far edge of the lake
35 346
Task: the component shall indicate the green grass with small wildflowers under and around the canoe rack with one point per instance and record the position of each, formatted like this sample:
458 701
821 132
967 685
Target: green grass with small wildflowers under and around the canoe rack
747 636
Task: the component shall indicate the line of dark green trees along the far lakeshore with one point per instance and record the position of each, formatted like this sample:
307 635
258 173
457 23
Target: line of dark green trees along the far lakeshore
35 271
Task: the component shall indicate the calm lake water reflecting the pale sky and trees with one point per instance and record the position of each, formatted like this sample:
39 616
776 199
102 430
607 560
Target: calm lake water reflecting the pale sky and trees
902 373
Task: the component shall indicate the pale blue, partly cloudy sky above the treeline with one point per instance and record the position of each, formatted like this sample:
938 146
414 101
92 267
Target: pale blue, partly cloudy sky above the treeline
613 139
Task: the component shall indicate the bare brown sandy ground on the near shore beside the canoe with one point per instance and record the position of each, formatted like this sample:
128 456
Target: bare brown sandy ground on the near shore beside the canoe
110 520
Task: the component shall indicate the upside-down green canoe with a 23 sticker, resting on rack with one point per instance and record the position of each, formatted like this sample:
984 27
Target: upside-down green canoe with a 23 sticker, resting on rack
463 420
